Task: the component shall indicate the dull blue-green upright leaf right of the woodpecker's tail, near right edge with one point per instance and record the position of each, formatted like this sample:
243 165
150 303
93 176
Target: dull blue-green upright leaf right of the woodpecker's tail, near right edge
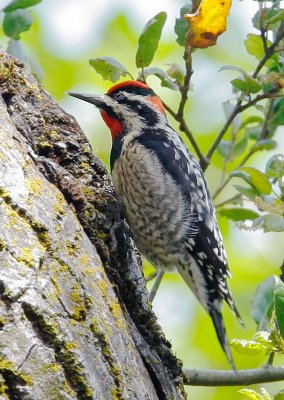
263 302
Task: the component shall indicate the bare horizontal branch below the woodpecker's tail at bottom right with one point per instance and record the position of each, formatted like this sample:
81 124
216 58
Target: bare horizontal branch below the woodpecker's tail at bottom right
195 377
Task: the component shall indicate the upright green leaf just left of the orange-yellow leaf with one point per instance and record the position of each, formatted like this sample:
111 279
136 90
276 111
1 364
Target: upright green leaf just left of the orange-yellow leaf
149 40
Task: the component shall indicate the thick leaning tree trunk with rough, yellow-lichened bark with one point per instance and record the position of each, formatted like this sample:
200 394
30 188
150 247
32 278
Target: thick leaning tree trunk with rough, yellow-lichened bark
75 321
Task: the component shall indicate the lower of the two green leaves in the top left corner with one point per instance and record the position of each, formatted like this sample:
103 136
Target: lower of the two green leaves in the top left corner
16 22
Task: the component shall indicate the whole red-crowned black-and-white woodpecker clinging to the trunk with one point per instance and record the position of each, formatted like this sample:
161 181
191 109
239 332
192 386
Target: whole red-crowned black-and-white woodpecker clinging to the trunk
165 196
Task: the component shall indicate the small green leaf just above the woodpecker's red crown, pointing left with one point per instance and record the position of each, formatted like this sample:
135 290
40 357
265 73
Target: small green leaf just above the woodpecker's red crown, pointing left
108 68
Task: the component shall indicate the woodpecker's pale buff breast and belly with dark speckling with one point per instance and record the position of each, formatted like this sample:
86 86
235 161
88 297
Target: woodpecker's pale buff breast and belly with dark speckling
157 212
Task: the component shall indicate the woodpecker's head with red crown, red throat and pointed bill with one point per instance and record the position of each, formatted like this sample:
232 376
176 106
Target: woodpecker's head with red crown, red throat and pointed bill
127 106
